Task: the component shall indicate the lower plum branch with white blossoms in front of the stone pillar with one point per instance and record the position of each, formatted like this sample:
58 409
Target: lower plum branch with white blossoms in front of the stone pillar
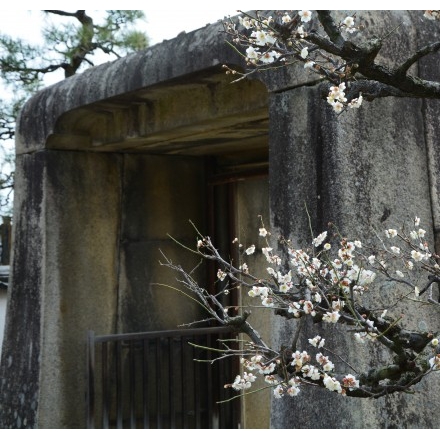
317 285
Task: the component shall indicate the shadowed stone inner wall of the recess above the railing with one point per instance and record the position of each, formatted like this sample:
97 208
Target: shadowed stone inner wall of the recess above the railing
160 195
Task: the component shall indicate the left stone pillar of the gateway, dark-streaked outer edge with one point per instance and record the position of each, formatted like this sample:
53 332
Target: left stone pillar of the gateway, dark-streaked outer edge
64 283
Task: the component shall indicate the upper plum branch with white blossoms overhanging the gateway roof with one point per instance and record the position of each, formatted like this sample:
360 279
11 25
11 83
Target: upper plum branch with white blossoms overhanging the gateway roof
351 68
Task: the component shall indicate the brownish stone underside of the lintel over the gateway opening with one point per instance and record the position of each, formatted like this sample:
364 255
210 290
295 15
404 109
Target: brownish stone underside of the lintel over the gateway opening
200 116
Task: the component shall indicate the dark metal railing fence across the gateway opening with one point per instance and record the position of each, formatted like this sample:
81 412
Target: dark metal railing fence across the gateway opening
150 380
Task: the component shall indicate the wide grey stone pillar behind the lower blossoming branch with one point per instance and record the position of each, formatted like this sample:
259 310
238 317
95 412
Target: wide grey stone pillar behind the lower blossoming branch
360 170
